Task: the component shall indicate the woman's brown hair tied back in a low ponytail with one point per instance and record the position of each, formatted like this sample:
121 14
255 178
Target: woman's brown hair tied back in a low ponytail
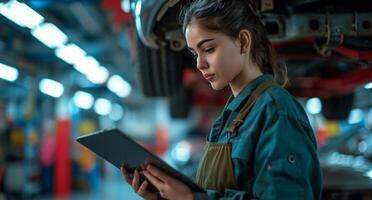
230 17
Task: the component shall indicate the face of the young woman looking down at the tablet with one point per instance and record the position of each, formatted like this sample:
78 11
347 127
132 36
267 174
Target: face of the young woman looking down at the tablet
218 56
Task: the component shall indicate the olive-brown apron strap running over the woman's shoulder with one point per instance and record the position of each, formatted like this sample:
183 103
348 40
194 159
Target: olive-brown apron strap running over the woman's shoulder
234 125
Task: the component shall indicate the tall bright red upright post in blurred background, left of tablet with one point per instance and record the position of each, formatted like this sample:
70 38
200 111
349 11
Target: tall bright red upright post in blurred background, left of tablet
62 167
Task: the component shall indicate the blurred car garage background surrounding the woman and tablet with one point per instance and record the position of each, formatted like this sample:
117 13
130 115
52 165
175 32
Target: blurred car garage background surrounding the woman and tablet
71 67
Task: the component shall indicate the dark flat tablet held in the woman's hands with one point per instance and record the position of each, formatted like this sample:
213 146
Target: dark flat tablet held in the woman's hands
115 147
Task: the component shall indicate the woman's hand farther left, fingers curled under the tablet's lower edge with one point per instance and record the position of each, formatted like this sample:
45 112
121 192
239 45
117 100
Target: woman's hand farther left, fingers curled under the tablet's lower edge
135 183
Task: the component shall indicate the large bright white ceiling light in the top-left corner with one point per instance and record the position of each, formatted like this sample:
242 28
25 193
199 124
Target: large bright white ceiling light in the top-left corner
21 14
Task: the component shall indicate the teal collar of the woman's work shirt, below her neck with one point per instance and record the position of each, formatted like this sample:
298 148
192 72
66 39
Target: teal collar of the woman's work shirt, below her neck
234 102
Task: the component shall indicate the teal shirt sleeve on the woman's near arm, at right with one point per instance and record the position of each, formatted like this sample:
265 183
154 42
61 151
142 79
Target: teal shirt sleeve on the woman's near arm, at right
286 164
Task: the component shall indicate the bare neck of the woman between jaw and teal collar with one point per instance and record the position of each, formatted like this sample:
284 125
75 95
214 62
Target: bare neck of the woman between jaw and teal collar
248 74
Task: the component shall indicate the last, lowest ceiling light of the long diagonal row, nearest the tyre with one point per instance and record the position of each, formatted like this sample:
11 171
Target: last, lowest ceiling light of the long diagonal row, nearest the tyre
119 86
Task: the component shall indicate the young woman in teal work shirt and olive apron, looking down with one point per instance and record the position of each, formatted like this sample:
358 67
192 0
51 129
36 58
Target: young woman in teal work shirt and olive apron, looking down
262 145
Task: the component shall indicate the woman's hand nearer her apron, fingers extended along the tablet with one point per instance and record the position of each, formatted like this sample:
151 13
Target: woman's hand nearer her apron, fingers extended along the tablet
169 187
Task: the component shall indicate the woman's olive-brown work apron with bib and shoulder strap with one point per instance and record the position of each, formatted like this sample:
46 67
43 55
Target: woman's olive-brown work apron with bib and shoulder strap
215 170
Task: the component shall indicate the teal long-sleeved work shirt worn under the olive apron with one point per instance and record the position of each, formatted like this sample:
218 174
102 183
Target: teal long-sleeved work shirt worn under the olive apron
274 151
